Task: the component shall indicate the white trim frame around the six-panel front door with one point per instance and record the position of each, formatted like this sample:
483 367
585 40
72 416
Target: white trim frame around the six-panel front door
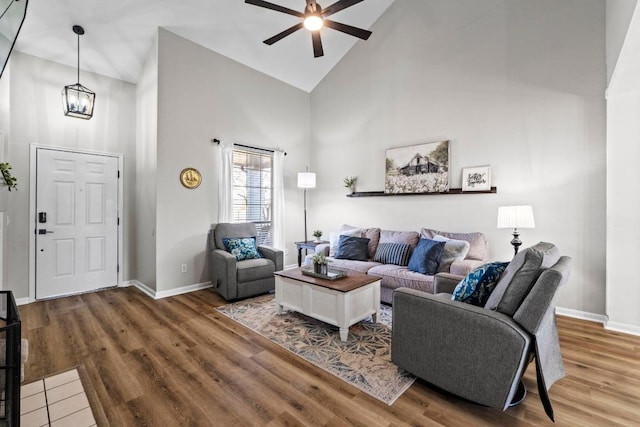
32 208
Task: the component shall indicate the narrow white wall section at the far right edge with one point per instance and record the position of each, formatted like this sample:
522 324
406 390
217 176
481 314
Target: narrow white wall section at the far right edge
623 199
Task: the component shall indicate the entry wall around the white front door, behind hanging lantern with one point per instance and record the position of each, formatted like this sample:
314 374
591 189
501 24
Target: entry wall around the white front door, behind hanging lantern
36 117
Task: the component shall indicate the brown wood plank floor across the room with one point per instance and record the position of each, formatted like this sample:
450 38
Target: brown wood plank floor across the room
177 362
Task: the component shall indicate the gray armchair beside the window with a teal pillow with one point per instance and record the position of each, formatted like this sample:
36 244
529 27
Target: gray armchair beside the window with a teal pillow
240 279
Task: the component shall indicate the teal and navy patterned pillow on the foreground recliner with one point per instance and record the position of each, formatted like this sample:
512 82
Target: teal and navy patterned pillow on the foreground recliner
478 285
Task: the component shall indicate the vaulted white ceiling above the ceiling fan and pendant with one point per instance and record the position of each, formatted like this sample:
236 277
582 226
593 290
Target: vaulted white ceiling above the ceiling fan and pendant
119 34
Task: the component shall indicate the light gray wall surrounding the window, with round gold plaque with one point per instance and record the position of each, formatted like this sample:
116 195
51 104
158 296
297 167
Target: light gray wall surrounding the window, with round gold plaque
203 95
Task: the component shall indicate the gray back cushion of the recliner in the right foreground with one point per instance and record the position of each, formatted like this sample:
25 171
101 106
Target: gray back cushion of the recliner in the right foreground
520 276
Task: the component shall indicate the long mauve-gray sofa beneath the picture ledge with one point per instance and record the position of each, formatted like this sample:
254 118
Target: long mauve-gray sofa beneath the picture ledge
396 276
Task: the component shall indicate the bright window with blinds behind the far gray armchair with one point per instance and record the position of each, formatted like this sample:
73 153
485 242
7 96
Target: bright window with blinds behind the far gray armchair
252 189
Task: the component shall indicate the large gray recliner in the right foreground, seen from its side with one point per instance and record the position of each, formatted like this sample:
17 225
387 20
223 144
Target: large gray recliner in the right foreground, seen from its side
481 353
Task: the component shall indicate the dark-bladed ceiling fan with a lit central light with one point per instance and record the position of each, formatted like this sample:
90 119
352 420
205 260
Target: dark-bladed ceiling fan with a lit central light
314 18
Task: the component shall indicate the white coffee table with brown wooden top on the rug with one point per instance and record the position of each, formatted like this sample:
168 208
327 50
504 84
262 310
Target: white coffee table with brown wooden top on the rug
342 302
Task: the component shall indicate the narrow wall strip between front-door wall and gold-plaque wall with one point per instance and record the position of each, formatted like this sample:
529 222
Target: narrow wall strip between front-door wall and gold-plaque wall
146 170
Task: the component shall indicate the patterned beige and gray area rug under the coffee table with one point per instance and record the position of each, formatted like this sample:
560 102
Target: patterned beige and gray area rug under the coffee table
363 361
